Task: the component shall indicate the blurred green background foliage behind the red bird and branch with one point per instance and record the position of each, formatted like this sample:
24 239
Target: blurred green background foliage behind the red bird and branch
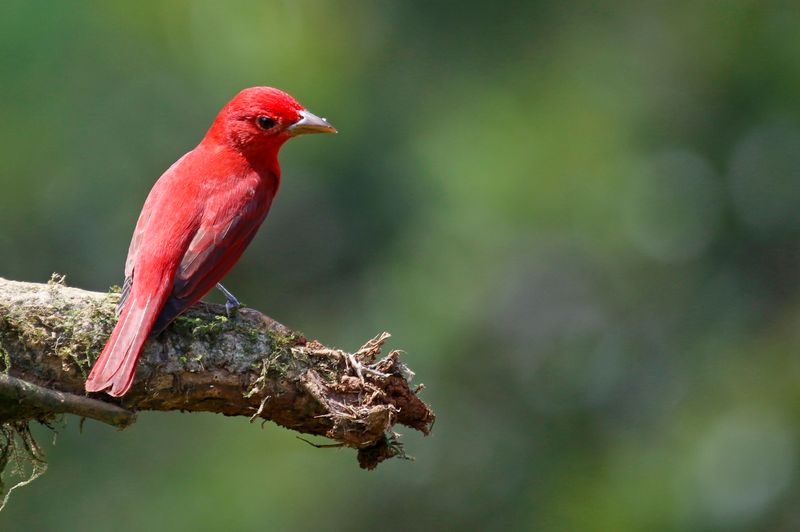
580 222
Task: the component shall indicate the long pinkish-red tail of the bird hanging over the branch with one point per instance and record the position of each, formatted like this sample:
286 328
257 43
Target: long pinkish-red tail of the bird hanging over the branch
116 365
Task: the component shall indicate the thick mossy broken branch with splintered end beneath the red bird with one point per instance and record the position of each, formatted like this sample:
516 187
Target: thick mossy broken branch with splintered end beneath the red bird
243 365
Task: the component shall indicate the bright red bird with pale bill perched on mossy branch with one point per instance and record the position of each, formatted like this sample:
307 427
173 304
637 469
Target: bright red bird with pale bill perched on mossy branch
197 220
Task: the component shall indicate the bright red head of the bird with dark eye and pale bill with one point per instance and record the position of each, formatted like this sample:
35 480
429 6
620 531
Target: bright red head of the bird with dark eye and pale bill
258 120
